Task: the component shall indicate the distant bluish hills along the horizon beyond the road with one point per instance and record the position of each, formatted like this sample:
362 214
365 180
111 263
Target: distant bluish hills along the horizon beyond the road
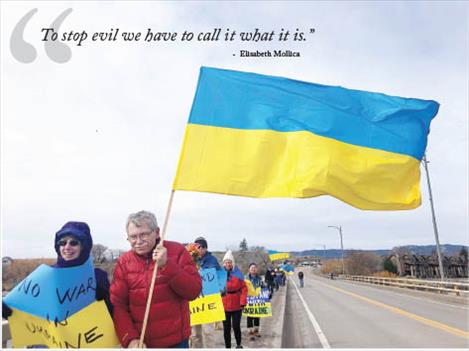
447 250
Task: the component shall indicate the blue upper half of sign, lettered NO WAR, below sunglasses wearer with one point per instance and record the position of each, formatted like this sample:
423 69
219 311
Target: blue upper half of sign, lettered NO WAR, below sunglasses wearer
54 293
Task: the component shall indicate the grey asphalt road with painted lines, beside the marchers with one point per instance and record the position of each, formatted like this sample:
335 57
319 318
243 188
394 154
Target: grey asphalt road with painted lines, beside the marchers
342 314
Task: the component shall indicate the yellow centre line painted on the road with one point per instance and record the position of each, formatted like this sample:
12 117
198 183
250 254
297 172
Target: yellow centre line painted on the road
432 323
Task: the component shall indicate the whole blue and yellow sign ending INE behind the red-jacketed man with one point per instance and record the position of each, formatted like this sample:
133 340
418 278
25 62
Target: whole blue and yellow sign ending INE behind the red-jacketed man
208 307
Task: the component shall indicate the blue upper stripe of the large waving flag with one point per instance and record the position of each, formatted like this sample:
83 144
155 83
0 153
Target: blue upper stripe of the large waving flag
241 100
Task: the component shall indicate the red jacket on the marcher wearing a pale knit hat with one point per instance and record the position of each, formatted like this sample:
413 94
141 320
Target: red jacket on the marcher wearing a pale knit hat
236 291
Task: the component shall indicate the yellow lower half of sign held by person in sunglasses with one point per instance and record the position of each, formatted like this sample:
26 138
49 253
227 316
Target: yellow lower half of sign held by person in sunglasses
91 327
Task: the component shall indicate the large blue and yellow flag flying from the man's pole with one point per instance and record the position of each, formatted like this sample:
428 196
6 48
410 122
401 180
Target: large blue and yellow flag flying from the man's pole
263 136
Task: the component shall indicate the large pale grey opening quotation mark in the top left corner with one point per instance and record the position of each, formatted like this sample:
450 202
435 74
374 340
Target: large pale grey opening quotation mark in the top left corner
26 53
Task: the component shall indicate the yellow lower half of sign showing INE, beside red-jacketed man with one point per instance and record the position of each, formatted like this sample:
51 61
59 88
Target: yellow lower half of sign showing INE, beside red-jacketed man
207 309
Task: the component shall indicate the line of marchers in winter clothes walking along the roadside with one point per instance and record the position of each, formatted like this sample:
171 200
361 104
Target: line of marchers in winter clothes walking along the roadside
177 283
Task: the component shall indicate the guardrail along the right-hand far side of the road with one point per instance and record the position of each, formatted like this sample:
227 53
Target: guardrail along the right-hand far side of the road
439 286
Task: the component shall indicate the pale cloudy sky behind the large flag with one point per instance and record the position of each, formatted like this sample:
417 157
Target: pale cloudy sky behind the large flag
99 137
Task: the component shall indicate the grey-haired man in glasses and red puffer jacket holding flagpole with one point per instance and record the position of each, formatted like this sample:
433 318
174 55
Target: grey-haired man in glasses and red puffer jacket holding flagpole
177 283
